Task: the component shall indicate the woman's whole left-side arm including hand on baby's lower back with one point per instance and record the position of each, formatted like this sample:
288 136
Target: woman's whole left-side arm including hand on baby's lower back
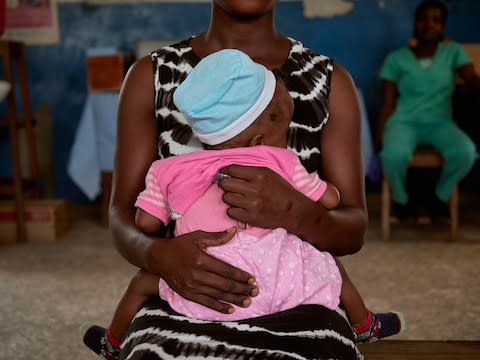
182 262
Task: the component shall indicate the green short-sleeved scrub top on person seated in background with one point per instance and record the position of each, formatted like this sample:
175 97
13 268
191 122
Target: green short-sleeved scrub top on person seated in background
424 86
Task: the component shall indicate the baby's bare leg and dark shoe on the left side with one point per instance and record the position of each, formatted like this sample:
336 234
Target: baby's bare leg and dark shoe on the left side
106 342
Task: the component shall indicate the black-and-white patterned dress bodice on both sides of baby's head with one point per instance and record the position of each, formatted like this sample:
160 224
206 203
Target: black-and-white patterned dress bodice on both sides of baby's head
306 74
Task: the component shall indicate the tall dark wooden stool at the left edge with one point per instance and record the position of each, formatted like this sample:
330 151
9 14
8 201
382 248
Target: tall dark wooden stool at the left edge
13 57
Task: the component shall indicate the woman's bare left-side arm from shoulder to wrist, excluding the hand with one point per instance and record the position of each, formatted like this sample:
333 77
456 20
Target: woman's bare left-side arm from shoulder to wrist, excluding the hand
135 151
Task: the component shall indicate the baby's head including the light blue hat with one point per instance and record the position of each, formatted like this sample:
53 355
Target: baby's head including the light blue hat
231 101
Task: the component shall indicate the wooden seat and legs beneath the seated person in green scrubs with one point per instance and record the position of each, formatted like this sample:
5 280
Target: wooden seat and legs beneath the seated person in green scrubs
422 158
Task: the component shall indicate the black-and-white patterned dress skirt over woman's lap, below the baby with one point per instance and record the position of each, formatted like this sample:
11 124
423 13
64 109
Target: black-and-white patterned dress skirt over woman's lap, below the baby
305 332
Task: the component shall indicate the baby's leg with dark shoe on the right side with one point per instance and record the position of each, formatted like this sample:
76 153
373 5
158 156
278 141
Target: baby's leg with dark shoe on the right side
367 326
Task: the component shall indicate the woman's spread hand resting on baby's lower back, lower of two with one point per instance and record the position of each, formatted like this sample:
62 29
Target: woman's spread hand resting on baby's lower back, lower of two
197 276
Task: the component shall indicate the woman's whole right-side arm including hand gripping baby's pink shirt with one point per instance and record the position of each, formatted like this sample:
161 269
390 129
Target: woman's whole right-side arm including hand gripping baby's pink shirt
260 197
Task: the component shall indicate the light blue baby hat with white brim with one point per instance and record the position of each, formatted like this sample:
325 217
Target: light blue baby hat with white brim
224 94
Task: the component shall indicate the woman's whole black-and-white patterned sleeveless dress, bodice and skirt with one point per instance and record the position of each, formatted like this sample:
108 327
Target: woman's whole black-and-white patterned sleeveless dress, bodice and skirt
305 332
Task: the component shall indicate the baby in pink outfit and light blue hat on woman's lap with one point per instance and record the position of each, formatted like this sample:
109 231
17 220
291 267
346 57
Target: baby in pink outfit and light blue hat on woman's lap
241 112
